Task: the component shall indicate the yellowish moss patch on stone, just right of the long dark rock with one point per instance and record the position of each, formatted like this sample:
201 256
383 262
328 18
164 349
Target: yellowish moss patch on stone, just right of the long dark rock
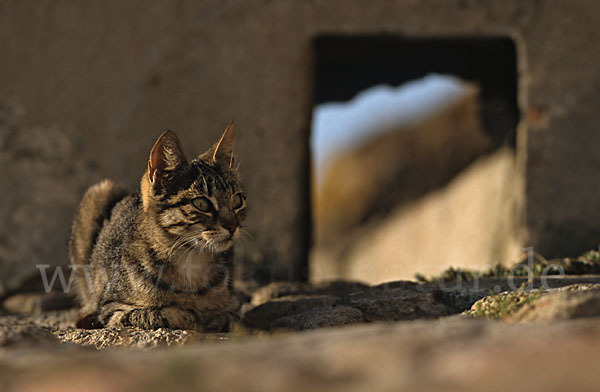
499 306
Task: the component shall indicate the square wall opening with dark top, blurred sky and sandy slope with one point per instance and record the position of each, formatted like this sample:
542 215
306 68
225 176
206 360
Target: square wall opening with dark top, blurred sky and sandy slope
416 171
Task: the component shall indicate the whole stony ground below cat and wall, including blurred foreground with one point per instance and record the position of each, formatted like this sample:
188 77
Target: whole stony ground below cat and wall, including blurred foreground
447 353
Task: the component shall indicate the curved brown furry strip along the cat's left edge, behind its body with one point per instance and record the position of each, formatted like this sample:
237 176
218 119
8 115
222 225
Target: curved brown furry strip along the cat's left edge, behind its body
95 207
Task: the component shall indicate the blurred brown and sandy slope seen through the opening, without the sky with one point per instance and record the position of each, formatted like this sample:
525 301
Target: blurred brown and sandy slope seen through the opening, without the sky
418 198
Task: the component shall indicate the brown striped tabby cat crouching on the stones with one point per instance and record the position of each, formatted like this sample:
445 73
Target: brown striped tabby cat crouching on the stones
161 257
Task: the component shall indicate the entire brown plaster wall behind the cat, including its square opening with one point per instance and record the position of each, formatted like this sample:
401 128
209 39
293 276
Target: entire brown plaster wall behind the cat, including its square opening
376 140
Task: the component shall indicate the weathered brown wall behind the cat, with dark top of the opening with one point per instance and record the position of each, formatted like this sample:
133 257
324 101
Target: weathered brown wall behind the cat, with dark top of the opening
101 80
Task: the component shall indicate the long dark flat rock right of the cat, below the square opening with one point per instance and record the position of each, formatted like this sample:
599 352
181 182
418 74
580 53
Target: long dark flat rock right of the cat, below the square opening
297 306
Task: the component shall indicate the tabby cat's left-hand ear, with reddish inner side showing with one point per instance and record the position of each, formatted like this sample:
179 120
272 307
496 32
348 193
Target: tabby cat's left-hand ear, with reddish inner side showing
166 158
